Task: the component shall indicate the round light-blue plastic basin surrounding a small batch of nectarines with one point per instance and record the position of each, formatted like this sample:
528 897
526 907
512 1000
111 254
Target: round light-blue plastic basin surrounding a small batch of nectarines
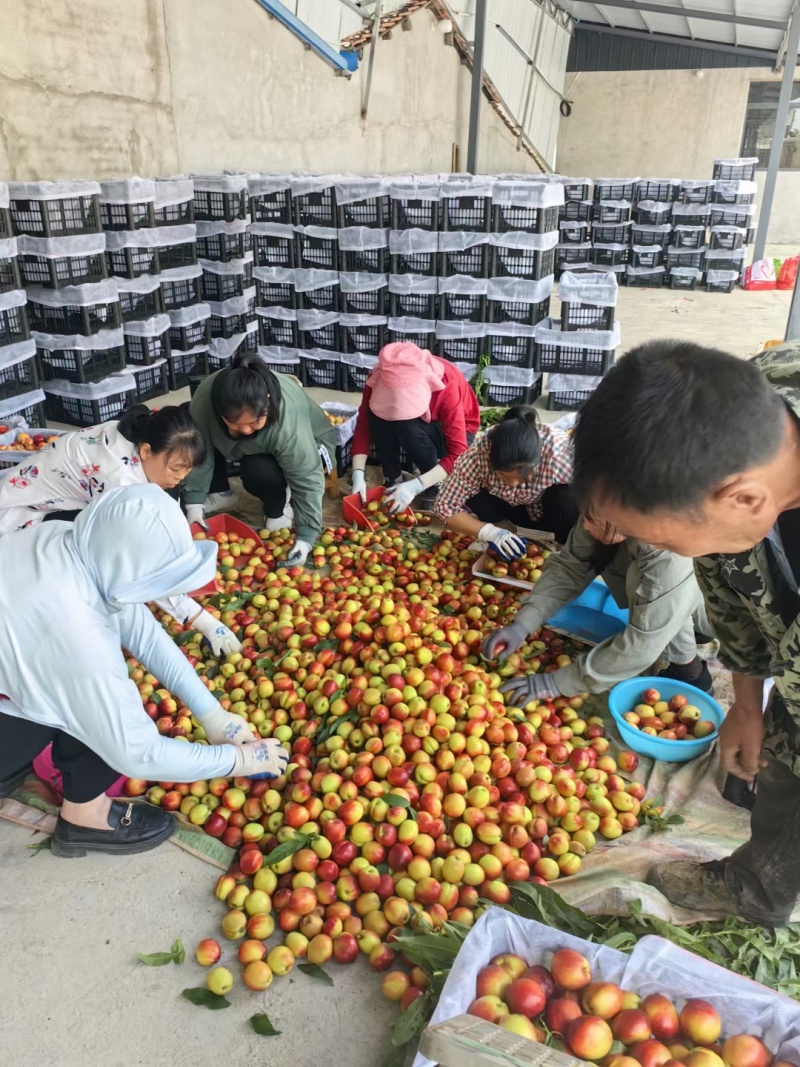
625 698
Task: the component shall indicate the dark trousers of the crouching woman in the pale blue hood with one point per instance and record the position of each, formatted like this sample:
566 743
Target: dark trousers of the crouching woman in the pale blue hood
85 774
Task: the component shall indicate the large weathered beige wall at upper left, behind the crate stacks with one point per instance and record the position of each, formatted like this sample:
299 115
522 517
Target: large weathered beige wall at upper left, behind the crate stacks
98 89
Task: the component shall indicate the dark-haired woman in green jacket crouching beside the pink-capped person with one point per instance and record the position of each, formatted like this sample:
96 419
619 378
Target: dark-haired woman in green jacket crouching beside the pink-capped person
284 441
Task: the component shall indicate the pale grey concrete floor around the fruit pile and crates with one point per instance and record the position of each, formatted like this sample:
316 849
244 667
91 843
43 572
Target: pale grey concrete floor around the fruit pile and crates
74 994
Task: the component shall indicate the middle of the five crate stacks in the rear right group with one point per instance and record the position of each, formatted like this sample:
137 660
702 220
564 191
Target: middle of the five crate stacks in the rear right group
652 233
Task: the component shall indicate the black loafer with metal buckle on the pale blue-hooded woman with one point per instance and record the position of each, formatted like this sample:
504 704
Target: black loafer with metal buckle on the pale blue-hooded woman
134 829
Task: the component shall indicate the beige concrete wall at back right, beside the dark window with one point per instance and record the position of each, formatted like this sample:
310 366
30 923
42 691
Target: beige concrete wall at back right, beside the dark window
667 124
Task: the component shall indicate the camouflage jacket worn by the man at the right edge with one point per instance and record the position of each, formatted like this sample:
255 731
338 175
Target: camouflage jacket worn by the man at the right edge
754 610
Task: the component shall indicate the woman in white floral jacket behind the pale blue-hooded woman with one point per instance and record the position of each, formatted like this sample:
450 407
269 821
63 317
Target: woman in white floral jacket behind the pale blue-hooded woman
161 448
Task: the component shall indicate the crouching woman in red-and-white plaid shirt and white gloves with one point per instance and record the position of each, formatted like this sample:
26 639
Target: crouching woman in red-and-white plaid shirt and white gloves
518 472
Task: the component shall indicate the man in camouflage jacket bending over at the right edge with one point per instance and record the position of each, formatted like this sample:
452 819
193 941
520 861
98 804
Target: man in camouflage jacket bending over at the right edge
694 451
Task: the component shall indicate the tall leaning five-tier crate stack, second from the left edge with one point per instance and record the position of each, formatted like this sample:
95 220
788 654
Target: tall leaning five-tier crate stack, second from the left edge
73 309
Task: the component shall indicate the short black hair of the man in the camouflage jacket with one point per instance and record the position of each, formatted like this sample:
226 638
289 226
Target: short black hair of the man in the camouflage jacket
669 424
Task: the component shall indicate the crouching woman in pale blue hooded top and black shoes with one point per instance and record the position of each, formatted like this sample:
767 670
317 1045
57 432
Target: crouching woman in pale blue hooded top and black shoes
70 684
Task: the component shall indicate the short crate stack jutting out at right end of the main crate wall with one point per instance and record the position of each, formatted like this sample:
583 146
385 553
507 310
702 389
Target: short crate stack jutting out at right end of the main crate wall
577 353
